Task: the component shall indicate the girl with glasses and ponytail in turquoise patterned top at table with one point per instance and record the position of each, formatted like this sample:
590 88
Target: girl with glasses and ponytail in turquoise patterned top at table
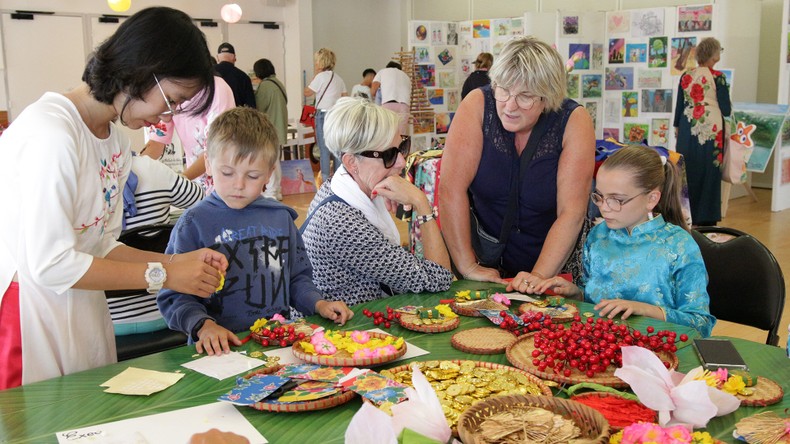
644 243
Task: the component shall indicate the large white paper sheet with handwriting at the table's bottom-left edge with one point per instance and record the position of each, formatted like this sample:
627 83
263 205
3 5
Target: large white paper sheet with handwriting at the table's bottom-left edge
166 428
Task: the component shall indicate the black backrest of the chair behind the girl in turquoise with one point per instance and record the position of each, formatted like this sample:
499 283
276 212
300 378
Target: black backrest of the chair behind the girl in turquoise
746 284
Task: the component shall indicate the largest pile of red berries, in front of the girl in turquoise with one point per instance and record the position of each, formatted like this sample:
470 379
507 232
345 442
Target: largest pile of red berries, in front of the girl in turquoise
592 346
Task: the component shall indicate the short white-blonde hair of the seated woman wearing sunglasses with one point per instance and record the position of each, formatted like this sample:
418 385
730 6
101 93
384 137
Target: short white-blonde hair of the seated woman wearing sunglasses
354 125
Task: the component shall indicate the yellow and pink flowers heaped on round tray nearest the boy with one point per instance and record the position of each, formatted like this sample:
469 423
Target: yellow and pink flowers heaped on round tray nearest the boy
358 344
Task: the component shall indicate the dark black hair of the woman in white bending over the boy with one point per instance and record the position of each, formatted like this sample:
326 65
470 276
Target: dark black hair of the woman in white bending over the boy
157 41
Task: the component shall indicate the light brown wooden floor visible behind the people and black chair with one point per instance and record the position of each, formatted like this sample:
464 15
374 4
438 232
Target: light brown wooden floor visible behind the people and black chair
755 218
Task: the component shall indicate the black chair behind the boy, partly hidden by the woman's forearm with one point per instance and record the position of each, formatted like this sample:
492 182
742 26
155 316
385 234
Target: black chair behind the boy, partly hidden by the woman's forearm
151 238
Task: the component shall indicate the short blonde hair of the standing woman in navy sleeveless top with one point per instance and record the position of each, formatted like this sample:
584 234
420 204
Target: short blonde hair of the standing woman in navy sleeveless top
527 62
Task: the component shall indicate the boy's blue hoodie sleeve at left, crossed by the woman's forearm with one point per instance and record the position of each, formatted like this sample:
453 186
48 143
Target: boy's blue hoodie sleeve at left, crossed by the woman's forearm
182 311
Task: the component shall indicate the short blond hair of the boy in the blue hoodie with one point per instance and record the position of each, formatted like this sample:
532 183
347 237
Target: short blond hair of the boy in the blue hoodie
246 130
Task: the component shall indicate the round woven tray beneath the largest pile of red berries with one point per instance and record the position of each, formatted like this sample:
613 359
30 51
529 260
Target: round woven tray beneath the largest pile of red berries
519 354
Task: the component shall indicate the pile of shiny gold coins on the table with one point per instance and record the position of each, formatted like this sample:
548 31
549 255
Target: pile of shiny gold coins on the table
459 385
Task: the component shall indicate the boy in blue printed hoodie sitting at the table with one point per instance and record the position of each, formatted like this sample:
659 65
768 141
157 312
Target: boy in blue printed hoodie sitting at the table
268 271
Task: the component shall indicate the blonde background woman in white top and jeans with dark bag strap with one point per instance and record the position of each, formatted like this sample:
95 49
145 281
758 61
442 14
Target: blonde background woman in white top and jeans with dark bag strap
327 86
